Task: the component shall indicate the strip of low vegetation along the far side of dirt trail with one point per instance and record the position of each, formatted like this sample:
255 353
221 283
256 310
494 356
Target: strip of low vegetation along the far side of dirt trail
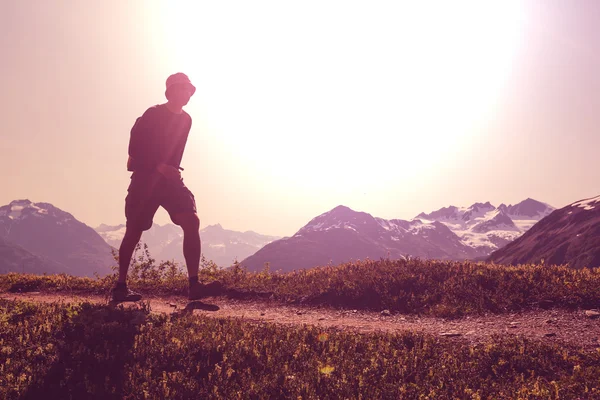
438 288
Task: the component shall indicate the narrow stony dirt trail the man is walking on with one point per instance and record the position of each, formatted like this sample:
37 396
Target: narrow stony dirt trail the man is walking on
565 327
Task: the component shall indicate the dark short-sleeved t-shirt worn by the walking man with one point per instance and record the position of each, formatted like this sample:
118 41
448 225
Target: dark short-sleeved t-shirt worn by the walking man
158 136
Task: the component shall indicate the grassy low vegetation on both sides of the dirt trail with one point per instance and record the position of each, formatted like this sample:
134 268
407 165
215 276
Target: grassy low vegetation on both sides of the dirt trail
93 351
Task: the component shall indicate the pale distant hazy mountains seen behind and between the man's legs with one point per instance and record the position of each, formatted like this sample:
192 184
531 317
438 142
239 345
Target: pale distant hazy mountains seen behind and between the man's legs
220 245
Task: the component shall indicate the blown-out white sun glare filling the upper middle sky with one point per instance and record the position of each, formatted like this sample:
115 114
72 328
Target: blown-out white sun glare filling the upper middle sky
316 93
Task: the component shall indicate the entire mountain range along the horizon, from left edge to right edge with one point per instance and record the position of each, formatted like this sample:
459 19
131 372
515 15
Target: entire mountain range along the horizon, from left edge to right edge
38 237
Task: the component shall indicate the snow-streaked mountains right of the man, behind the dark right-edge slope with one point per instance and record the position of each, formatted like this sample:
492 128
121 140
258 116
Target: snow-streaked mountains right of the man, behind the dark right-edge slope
451 233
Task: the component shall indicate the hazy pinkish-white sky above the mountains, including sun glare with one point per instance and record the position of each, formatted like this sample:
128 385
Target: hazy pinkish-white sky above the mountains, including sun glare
392 108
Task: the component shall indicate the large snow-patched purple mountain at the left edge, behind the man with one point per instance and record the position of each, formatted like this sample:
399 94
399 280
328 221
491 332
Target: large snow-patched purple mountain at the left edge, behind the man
49 232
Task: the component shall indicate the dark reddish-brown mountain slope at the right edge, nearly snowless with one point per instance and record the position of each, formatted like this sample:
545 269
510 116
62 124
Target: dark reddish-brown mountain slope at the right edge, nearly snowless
570 235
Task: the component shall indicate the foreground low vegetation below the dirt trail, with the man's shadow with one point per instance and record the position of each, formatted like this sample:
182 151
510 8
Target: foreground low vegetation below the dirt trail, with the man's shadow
77 351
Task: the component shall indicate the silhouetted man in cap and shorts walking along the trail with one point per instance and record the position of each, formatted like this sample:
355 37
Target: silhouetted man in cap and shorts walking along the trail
156 148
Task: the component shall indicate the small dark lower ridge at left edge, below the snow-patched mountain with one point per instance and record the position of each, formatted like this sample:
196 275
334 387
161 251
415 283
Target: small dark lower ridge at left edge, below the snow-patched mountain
14 258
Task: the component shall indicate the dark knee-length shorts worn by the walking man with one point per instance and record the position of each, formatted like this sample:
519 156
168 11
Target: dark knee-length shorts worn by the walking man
147 192
